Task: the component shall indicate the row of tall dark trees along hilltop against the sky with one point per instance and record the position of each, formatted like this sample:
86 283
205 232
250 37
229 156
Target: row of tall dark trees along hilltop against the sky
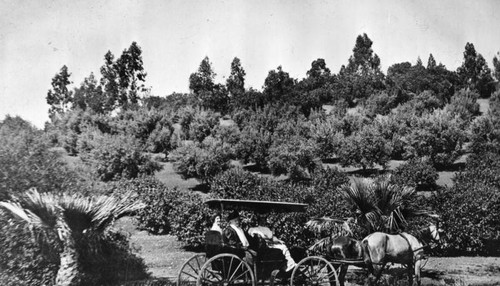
122 83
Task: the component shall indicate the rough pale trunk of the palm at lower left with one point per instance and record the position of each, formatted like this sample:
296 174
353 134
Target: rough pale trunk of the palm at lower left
68 272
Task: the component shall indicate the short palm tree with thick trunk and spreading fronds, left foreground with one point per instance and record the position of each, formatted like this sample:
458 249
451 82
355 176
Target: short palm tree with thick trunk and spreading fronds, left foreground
75 219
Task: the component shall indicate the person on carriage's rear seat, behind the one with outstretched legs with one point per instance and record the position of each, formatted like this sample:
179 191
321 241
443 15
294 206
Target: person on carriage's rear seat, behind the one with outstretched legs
234 236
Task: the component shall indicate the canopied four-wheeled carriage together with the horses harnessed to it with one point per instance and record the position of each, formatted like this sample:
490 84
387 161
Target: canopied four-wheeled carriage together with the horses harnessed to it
325 264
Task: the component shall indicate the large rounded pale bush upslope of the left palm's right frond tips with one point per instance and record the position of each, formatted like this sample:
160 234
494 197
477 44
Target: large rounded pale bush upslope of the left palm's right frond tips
118 156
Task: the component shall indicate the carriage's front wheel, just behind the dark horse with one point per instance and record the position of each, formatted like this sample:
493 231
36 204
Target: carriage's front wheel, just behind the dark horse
314 270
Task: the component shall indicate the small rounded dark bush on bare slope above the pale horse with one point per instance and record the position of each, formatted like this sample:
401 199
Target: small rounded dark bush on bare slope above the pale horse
417 173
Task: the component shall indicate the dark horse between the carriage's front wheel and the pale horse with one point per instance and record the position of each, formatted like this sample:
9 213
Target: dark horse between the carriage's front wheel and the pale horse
338 248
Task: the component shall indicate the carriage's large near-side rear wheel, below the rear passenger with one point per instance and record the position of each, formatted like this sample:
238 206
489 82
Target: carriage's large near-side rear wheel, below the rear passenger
226 269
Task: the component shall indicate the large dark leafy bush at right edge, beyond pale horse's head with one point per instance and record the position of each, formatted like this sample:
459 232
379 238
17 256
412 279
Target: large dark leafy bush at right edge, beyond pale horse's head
470 209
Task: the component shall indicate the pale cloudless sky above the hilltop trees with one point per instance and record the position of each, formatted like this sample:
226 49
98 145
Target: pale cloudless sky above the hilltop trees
38 37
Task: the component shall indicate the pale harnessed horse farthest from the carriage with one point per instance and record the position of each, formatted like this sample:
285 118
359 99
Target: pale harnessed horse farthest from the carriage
381 248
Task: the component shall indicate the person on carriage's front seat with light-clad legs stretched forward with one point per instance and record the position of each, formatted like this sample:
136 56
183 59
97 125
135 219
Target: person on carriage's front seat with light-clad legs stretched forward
264 232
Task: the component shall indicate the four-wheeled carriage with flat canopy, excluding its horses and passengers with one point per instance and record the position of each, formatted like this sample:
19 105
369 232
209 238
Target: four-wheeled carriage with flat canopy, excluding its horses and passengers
225 265
